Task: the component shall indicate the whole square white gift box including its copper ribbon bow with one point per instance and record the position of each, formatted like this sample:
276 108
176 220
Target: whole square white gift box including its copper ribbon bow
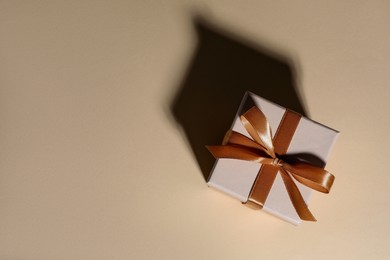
273 159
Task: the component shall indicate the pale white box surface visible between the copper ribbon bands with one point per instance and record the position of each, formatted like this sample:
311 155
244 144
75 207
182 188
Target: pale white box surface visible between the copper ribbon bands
236 177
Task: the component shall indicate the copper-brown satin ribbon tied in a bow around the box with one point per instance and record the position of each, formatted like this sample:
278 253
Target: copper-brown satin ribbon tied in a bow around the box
266 151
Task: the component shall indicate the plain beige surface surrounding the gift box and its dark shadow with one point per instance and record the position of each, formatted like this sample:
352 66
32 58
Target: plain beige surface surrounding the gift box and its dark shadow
93 165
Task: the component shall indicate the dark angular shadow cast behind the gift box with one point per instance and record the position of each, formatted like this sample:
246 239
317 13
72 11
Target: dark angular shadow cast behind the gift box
222 69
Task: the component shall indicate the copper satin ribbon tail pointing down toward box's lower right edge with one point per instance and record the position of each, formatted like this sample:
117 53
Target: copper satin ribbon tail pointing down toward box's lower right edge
296 197
